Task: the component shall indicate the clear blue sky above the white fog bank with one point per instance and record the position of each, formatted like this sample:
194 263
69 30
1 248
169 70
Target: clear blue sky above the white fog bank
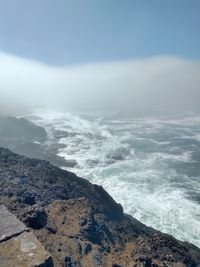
65 32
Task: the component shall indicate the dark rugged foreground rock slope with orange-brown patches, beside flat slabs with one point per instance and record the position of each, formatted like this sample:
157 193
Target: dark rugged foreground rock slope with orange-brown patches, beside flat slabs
78 223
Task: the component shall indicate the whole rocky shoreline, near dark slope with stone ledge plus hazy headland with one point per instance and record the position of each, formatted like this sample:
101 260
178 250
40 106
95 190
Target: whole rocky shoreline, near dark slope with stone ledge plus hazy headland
73 222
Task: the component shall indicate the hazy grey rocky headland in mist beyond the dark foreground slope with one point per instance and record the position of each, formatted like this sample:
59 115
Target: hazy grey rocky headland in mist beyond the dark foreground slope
26 138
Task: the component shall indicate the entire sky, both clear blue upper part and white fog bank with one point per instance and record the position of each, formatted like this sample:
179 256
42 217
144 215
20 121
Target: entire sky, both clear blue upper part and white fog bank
142 56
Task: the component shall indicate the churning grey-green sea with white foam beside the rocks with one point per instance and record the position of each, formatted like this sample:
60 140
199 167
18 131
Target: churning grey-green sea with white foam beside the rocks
151 165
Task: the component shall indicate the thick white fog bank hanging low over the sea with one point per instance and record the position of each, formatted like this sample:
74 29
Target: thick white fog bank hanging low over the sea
154 85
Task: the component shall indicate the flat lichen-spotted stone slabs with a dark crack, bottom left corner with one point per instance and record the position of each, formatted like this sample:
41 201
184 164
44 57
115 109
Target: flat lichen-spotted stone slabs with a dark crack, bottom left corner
18 247
